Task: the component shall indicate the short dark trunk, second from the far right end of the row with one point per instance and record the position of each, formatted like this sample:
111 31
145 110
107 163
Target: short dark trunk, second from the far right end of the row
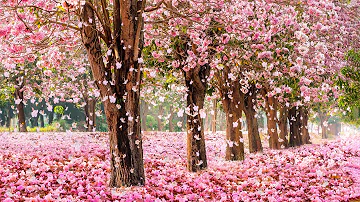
294 121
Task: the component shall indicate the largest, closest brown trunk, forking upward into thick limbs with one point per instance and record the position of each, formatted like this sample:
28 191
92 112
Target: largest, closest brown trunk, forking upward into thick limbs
121 100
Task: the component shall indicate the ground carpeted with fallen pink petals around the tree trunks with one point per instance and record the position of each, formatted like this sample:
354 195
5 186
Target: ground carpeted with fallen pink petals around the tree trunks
75 167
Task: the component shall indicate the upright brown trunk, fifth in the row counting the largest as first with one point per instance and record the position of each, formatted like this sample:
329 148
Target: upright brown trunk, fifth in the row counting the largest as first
271 107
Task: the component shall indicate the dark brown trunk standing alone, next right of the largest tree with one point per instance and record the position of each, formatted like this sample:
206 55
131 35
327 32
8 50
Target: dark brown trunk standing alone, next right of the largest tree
196 87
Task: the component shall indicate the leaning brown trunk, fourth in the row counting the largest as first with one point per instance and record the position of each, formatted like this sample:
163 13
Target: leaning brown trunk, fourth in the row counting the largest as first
251 121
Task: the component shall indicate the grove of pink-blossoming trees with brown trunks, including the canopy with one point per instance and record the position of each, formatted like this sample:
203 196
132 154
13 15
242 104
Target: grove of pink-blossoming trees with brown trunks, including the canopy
286 59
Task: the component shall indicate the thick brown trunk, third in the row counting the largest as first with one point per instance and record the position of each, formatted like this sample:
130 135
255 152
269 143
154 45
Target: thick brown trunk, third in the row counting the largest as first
234 138
